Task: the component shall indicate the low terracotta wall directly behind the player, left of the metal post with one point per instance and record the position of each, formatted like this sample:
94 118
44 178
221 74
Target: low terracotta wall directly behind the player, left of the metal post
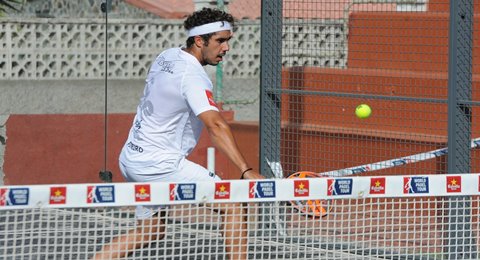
50 149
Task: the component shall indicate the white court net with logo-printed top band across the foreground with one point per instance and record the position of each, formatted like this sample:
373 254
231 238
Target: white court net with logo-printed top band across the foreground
378 217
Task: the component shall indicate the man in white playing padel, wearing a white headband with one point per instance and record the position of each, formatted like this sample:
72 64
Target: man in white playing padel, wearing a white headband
177 104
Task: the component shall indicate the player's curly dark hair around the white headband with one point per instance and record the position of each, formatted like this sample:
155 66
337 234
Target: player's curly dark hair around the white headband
204 16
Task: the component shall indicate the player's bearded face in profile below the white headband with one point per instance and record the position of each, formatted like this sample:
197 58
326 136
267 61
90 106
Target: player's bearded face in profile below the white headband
216 47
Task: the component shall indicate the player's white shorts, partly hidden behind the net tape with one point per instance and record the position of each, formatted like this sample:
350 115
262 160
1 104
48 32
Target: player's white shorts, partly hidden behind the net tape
187 171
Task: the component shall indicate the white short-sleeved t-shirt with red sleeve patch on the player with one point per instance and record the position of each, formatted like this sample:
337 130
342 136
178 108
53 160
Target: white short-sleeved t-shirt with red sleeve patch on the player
166 127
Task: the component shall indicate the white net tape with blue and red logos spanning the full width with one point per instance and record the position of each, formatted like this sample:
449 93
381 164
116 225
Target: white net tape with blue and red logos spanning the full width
268 190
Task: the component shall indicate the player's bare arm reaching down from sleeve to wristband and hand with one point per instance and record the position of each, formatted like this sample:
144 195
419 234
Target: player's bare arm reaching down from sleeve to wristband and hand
222 137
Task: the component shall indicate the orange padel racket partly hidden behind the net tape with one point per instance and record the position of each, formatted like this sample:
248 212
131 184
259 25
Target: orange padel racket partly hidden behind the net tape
314 208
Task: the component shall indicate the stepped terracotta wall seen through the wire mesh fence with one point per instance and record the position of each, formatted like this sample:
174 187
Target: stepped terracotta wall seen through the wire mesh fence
390 54
